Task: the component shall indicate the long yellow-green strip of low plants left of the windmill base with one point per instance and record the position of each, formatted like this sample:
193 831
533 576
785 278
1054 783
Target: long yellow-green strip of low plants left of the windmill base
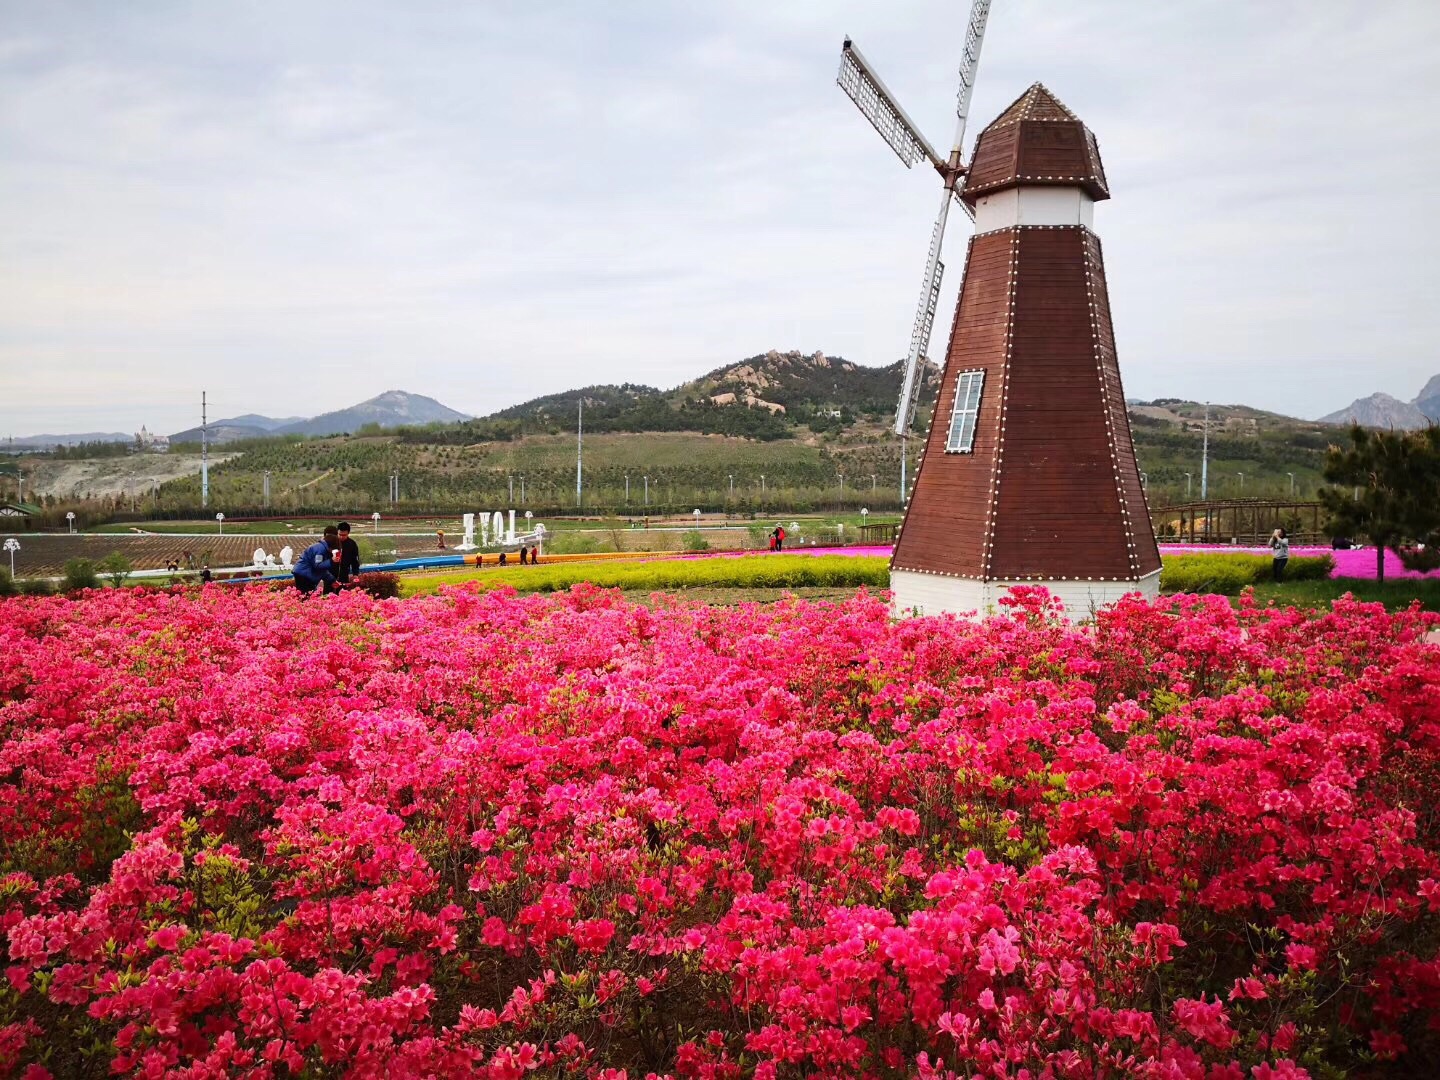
747 572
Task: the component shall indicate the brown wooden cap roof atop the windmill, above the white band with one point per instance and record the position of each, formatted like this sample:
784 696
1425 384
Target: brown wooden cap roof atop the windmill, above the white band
1036 142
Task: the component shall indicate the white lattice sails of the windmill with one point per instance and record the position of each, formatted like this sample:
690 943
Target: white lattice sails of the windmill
859 80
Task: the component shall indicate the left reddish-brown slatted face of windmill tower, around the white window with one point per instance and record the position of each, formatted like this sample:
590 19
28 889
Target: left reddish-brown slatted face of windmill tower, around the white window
945 525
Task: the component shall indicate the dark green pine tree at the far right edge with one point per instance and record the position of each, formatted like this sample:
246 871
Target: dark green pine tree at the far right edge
1387 490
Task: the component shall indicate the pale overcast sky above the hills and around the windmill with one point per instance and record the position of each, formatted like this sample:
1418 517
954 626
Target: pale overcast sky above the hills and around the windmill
296 207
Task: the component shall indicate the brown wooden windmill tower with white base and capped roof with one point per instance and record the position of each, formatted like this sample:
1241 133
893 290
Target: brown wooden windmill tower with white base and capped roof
1029 474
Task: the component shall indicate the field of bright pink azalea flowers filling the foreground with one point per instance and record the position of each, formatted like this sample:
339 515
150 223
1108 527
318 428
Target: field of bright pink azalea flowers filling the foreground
479 834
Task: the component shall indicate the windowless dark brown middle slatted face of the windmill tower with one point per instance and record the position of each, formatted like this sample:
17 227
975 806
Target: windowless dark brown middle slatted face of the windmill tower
1058 510
